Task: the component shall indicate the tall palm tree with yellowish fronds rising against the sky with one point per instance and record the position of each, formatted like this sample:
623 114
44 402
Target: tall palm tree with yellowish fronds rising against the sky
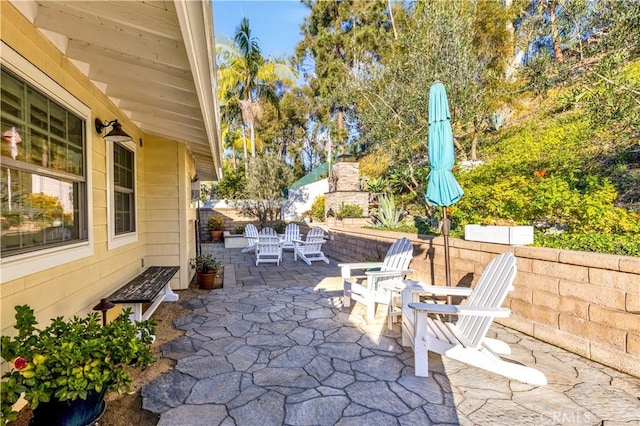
246 78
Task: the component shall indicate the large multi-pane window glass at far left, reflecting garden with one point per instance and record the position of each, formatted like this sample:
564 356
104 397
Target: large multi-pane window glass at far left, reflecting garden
43 185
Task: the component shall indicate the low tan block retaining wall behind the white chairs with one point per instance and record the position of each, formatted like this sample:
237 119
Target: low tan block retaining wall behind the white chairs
586 303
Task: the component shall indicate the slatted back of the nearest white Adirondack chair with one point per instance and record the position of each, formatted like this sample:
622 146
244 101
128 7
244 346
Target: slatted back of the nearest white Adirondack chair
490 291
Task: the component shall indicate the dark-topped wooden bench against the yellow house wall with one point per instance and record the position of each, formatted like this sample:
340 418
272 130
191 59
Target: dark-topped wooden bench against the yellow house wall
150 287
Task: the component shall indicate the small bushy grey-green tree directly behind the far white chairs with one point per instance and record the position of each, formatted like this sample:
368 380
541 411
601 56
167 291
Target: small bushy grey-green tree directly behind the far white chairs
264 192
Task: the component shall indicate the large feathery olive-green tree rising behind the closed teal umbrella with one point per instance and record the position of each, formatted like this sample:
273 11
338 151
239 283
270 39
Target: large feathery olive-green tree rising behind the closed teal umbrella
454 42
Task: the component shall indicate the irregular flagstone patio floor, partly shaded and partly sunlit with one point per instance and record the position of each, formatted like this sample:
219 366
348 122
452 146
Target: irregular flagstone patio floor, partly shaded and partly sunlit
274 346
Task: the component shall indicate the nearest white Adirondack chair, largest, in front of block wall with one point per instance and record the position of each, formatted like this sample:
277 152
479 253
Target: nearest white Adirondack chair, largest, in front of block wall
465 340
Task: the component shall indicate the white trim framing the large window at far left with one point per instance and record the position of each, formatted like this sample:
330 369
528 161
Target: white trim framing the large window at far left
29 263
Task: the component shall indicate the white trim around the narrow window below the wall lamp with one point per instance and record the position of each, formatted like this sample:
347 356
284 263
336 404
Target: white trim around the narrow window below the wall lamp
114 241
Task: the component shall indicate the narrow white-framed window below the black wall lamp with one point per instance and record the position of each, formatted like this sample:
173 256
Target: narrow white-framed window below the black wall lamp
121 207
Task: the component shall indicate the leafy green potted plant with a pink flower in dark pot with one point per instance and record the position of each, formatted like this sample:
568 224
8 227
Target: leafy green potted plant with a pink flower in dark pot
64 370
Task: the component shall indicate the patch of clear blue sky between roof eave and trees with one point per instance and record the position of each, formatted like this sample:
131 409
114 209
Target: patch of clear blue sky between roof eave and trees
276 24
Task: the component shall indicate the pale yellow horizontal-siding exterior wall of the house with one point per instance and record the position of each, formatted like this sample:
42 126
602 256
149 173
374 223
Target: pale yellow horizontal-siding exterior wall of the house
163 171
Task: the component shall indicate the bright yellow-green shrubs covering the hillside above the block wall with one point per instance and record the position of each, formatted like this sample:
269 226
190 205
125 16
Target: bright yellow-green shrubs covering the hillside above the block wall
565 174
